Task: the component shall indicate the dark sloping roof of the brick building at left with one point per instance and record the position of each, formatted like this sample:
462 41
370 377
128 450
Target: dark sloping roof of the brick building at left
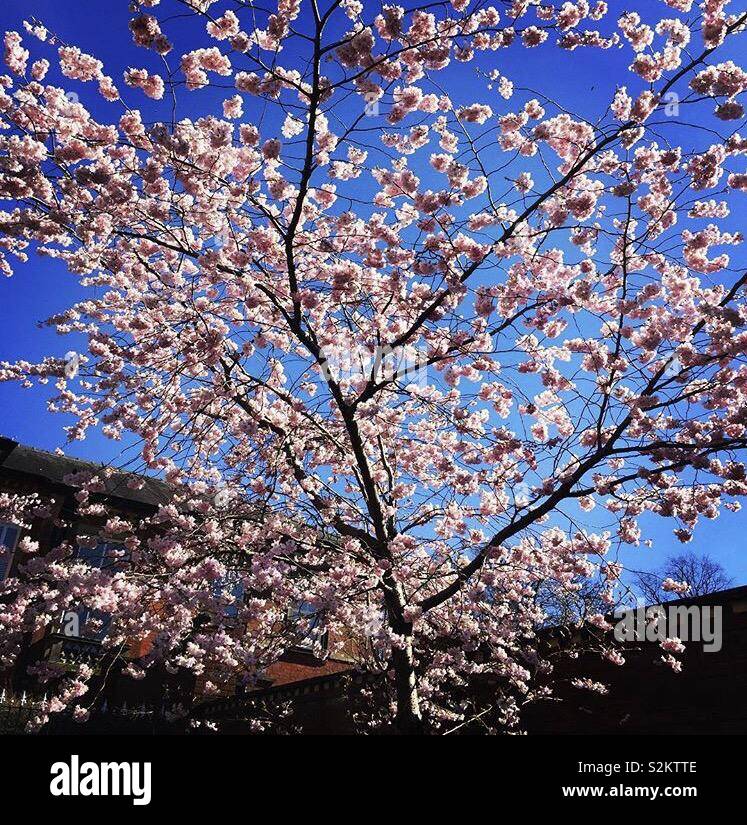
20 459
